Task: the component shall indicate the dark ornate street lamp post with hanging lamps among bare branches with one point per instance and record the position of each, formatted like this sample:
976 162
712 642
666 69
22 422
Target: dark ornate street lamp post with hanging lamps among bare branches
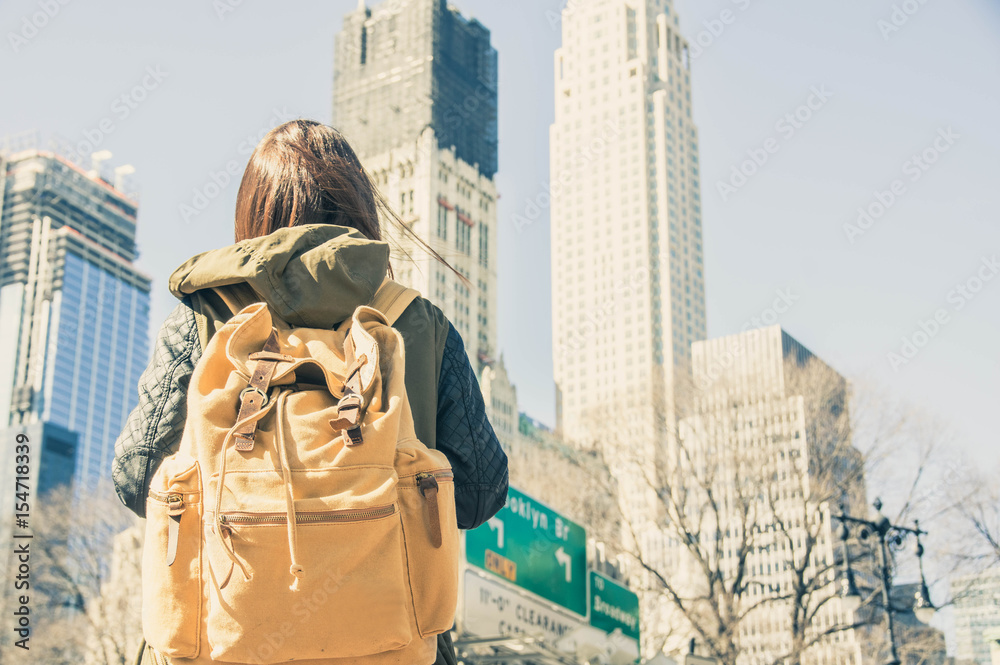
888 534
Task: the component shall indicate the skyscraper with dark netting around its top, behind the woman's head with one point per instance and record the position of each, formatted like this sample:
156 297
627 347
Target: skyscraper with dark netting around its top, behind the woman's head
415 94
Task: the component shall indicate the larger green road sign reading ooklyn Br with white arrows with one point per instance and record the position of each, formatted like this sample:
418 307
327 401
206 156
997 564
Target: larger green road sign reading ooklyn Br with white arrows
536 548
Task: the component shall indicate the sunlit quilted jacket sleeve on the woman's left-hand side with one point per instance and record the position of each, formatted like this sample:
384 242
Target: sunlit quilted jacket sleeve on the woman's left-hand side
153 429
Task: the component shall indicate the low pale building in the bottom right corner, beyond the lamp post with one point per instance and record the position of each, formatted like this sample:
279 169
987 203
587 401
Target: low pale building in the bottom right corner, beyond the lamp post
977 614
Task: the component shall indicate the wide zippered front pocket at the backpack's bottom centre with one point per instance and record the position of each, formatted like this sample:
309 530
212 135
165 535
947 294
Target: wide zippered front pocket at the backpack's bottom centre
349 600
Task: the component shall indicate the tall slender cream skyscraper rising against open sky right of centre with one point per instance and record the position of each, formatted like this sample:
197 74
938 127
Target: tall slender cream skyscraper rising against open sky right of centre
628 289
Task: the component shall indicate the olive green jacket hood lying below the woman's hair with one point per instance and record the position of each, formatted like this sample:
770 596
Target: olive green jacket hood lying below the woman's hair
313 276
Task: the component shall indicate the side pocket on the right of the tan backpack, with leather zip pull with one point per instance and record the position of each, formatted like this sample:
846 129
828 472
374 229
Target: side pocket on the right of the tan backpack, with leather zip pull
431 533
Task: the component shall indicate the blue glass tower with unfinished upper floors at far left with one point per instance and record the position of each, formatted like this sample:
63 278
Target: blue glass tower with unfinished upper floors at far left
73 308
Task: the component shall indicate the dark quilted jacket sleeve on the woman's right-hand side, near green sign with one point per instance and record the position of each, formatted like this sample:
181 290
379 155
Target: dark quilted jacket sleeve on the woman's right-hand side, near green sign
465 436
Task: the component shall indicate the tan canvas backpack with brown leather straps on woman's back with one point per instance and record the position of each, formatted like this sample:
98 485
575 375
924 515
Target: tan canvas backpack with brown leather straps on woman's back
301 520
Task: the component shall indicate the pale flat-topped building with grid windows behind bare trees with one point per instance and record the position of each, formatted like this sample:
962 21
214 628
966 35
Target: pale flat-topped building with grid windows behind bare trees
769 435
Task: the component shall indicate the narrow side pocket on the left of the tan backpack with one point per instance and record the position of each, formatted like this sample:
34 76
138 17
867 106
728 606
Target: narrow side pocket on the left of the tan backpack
171 560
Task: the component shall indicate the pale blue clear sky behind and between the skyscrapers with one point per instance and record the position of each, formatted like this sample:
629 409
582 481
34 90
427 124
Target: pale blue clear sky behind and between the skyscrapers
224 78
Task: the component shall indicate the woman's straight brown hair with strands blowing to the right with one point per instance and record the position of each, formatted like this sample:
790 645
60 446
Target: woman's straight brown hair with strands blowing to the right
304 172
